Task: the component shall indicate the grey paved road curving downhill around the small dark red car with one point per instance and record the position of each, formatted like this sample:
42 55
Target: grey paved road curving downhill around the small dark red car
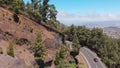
89 56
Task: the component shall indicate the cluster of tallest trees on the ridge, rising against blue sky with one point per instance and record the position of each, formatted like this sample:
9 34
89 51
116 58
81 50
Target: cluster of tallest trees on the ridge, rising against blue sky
45 10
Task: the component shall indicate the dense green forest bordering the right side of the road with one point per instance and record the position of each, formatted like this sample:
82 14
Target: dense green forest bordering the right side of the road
106 48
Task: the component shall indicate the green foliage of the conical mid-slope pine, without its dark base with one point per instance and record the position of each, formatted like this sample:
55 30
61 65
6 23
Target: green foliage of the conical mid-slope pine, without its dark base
39 48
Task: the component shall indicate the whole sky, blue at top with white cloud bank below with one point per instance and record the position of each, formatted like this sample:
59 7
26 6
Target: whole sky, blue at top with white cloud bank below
88 12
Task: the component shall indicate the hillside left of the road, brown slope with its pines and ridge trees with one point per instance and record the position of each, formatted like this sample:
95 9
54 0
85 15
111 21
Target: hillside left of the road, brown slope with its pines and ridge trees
30 36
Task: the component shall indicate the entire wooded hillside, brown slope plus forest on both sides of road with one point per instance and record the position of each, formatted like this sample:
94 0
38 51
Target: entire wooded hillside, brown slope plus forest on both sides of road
31 36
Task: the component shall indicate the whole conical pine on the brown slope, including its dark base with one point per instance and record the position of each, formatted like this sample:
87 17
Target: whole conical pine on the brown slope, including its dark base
39 51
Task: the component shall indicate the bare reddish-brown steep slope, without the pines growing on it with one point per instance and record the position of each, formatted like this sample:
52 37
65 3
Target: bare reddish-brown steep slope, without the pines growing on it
25 29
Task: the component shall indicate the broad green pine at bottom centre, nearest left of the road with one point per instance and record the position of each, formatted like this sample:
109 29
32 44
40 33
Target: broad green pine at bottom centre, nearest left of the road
60 60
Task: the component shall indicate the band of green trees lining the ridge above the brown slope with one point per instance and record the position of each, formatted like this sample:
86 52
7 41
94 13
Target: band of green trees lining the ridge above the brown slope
37 10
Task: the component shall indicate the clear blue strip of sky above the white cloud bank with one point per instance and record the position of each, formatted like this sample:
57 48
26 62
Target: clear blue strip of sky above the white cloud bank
87 6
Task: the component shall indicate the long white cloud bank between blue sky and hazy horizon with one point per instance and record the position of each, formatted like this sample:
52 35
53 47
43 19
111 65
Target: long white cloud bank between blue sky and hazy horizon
68 18
